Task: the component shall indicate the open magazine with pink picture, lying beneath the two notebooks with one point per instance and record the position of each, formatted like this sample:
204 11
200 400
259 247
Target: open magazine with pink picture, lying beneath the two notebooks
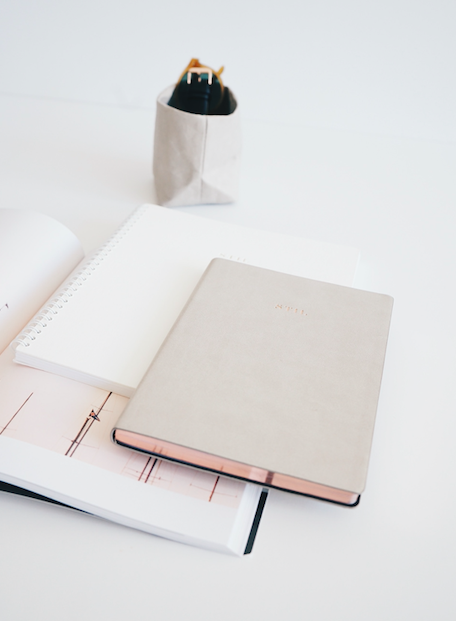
55 432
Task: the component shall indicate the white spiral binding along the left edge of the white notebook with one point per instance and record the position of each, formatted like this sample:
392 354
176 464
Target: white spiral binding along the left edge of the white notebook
42 319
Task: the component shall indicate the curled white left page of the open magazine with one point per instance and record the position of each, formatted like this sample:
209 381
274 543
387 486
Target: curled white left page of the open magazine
36 254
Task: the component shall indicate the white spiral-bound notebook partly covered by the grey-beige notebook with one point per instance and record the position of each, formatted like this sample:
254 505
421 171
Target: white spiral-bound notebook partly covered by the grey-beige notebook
106 322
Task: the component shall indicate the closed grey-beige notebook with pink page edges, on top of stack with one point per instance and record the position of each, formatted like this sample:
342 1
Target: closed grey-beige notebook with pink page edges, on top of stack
267 377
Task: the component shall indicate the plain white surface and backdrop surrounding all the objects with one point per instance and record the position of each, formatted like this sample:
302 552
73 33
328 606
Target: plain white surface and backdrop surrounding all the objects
349 132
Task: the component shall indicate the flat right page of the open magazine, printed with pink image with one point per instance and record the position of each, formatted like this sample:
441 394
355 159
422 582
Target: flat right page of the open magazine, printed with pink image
55 440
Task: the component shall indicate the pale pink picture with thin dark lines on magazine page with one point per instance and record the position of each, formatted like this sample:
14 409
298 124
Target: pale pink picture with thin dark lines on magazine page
75 420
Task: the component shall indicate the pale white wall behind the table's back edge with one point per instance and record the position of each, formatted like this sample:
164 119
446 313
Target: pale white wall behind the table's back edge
384 67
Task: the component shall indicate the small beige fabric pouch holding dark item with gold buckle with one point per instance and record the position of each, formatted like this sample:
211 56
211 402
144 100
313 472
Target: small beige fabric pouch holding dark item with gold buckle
197 152
